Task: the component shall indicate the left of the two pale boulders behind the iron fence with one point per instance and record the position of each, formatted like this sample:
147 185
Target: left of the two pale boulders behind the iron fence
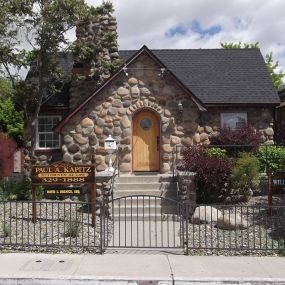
205 215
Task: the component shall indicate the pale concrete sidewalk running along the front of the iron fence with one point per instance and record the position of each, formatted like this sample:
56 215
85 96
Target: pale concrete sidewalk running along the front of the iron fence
164 269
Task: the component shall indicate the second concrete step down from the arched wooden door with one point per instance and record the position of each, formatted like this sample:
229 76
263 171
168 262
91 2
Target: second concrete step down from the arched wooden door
147 186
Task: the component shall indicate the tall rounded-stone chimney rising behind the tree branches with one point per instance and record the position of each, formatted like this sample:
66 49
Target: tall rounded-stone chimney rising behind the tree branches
98 36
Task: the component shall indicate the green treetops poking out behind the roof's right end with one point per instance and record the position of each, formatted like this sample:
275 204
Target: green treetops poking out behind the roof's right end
271 65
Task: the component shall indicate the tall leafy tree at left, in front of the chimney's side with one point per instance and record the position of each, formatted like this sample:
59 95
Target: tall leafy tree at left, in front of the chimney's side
44 24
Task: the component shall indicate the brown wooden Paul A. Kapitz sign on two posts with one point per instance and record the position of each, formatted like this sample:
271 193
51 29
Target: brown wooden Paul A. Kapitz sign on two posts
66 174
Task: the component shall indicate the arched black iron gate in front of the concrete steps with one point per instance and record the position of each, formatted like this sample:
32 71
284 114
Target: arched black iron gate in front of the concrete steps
144 222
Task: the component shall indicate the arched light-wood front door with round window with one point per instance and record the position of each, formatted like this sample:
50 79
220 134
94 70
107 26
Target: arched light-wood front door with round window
145 142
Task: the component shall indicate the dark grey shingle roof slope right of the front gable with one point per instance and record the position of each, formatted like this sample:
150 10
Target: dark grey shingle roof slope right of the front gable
220 76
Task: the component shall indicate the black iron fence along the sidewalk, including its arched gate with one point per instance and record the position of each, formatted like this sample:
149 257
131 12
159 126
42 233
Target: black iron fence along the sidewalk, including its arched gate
142 222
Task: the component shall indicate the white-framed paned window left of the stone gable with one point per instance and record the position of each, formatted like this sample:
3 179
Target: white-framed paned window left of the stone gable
46 138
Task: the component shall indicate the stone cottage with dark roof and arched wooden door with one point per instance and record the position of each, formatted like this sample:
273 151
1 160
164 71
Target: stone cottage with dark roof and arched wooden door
159 99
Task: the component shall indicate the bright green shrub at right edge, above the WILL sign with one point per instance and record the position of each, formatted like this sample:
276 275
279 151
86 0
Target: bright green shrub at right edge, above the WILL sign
272 157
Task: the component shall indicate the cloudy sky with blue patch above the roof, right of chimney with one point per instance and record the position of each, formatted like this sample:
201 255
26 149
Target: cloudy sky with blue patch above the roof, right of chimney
201 24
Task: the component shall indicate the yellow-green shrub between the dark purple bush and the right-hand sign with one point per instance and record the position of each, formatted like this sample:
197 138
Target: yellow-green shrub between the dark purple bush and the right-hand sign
245 174
